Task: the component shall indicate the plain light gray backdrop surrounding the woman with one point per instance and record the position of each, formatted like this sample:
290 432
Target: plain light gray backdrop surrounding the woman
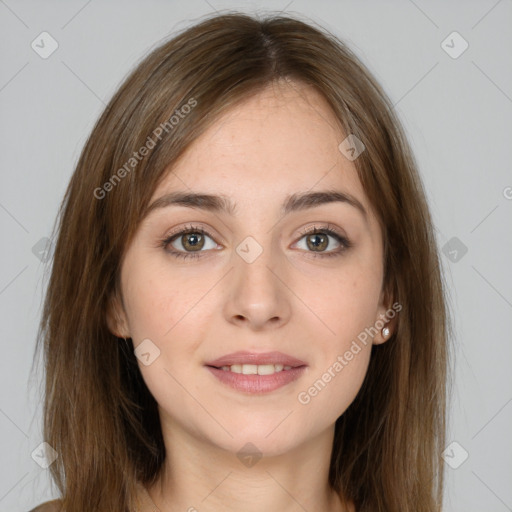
456 112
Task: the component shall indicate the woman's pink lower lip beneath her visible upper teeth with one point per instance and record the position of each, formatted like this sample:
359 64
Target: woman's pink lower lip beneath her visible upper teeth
257 383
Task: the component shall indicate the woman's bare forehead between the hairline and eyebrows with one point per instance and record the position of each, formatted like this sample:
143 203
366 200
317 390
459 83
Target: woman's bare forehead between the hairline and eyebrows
280 141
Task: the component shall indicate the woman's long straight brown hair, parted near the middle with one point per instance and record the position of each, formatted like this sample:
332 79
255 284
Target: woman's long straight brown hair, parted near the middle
98 413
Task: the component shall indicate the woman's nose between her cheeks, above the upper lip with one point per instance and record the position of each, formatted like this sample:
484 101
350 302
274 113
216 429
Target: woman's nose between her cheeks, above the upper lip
257 296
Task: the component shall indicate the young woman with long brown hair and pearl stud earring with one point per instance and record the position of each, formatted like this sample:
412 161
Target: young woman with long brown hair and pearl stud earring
246 309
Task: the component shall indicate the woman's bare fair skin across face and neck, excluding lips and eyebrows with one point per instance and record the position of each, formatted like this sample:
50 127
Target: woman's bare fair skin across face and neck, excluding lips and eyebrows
282 141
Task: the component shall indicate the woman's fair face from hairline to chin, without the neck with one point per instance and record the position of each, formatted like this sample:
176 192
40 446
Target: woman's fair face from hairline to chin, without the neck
276 273
